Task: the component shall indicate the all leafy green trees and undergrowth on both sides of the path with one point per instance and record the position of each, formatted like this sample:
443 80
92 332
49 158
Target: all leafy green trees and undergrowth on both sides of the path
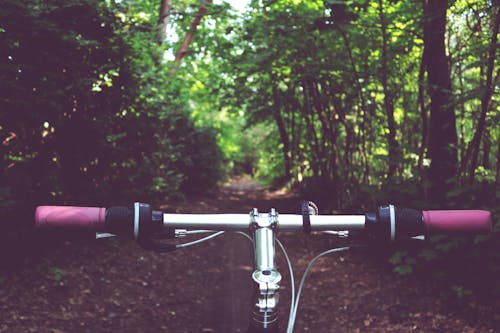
291 92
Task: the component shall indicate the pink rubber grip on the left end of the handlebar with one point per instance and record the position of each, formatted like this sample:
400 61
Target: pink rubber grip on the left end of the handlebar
91 218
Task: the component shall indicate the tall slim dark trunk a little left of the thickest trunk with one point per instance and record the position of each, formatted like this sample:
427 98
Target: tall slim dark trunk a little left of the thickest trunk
388 101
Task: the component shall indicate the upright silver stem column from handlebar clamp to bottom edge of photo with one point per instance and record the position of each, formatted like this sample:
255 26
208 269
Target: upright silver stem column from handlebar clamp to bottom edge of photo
264 317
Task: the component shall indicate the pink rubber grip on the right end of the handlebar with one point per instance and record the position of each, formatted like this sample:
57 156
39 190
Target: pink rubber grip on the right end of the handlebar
458 221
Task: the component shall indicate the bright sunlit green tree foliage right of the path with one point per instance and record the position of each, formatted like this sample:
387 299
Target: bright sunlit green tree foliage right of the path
310 71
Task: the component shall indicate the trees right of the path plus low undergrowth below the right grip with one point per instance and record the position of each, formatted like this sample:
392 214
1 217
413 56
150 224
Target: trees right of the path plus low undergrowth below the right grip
308 76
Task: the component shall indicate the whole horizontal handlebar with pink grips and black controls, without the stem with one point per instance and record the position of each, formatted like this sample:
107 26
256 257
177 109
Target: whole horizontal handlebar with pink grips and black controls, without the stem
140 221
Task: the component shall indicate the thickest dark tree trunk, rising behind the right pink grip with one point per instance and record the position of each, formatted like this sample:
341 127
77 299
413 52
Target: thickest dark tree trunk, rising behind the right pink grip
442 131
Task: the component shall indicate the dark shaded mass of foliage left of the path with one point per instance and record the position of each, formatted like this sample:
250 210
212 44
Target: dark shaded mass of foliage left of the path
89 115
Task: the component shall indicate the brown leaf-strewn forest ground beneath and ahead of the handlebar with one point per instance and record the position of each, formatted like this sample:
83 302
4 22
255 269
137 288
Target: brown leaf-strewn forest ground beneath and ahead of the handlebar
111 285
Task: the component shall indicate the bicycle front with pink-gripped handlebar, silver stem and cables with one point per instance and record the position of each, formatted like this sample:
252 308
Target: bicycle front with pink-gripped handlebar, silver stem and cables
150 228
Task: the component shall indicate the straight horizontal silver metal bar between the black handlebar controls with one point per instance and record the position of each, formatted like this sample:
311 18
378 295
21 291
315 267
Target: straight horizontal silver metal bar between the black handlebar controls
241 222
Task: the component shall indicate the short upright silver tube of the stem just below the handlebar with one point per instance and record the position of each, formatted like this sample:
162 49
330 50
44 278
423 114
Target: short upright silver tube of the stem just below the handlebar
264 250
